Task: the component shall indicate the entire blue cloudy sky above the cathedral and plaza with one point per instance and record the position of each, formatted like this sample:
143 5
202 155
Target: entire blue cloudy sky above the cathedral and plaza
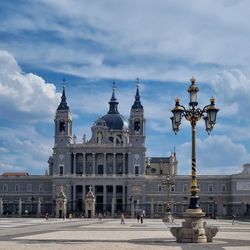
91 43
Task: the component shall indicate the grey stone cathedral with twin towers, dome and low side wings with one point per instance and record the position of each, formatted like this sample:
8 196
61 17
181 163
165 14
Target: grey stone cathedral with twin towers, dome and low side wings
110 174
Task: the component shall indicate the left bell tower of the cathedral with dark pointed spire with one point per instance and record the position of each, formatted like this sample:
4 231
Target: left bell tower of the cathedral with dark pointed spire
63 123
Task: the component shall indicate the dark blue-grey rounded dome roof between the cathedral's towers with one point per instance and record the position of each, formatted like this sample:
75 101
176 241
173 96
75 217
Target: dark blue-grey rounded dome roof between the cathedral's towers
115 121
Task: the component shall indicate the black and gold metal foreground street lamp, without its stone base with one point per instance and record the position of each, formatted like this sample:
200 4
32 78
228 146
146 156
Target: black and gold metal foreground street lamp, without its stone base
194 114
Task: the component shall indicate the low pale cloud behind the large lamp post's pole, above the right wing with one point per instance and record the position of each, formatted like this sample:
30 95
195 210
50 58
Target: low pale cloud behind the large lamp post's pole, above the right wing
215 155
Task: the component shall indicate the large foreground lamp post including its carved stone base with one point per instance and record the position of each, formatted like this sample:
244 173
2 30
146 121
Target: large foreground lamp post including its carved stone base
193 215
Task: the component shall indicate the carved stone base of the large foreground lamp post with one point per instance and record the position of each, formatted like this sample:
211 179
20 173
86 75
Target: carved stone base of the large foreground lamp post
194 229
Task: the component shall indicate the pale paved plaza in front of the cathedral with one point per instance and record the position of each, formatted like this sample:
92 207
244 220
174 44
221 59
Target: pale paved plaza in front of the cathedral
35 233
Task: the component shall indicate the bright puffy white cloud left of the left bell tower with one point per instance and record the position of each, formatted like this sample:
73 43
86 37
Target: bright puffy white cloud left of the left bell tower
24 95
